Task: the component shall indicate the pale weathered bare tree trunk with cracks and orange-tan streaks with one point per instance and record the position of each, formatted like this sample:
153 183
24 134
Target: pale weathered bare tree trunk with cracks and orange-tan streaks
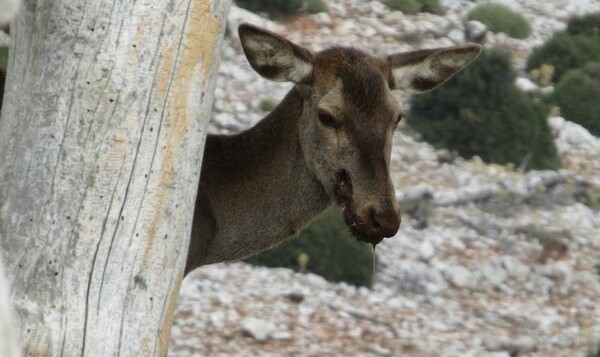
101 139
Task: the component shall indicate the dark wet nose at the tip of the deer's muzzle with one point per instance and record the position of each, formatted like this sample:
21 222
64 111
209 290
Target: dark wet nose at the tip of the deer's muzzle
381 222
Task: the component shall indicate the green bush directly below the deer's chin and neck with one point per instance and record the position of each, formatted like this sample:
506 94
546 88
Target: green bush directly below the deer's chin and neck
325 247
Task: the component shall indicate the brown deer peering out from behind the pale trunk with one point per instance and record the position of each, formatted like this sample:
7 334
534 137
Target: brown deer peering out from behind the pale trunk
329 141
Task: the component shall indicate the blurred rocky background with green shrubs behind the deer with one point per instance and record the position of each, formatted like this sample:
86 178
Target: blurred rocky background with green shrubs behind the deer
497 173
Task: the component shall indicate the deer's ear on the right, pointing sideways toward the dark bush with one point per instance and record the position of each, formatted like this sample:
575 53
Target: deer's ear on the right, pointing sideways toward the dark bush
420 71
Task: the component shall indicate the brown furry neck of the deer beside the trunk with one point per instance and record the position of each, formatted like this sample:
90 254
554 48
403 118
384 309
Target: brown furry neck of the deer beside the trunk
258 183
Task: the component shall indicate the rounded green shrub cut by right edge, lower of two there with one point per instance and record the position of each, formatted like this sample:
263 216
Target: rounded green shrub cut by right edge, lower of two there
578 93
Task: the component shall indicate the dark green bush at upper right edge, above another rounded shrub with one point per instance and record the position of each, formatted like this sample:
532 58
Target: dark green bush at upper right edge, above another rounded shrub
570 49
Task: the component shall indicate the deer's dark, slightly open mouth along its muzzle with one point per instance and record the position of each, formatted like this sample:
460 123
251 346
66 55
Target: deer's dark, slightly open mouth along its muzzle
343 195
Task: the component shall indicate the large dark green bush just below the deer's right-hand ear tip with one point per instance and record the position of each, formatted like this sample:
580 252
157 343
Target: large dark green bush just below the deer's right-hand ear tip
481 112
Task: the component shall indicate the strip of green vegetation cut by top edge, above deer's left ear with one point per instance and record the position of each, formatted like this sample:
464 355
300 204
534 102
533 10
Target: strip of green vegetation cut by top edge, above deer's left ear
283 7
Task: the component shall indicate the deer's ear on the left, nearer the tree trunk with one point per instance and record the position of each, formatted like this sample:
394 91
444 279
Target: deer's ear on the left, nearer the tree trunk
274 57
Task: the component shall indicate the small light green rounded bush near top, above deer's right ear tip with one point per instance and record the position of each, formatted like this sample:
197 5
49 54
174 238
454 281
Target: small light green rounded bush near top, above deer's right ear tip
499 18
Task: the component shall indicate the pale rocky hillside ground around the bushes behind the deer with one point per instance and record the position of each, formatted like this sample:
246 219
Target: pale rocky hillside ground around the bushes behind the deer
495 262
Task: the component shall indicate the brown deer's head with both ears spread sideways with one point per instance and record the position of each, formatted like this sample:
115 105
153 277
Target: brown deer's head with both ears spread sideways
349 116
